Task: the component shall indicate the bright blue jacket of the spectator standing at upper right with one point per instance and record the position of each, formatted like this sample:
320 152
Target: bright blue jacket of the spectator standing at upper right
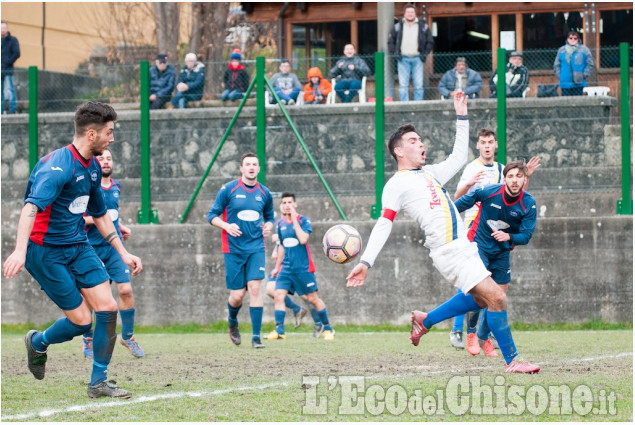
578 65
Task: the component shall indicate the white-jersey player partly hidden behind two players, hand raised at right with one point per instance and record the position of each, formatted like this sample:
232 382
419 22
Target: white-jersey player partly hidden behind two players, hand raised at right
476 175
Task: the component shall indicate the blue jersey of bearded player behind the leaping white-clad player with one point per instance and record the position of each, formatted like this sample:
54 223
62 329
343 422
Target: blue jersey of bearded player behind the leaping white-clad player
518 218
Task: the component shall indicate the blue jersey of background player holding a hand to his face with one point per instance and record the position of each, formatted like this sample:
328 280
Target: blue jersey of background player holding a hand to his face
297 257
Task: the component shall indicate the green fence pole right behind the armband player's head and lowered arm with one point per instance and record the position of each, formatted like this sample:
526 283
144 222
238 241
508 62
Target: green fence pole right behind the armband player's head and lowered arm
375 210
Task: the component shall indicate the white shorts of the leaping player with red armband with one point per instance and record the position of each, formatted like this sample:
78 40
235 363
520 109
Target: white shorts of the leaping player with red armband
458 261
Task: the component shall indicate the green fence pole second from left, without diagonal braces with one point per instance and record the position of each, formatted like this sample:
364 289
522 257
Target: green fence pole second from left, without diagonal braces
145 215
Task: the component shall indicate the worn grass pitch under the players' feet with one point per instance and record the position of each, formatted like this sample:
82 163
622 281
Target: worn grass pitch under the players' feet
373 376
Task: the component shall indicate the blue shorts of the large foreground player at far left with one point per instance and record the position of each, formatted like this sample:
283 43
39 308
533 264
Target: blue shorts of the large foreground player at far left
62 271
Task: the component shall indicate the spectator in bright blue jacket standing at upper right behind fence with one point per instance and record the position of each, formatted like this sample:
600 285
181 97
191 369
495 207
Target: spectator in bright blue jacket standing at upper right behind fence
573 65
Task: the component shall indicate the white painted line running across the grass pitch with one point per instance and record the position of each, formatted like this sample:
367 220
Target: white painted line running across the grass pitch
144 399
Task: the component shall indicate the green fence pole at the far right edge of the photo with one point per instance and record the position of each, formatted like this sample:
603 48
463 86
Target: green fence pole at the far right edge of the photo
625 205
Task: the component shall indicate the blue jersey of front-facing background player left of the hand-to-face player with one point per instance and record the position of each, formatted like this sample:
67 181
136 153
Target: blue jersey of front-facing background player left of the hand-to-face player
249 208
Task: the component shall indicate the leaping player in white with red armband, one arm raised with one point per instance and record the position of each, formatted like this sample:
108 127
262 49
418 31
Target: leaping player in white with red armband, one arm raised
418 190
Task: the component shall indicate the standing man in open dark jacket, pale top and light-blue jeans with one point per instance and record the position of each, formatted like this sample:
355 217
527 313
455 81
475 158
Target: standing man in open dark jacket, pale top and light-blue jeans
411 41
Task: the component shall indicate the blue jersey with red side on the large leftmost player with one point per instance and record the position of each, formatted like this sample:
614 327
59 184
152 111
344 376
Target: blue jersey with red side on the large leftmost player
63 186
